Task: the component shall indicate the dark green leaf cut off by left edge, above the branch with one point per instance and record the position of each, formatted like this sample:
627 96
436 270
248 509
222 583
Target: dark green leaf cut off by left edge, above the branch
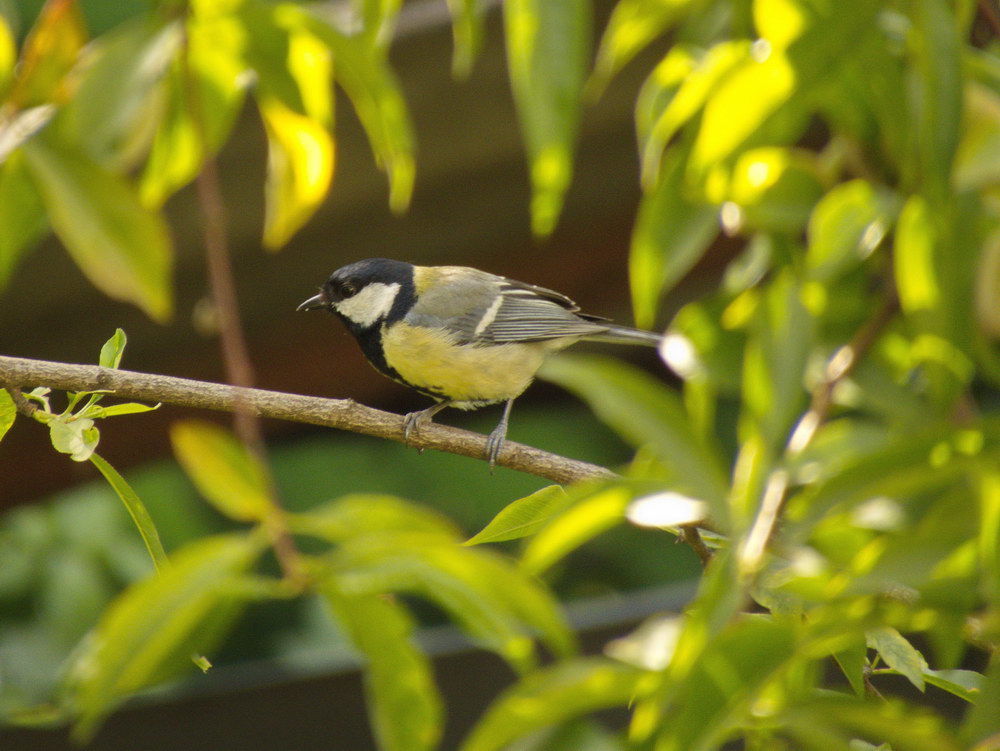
22 215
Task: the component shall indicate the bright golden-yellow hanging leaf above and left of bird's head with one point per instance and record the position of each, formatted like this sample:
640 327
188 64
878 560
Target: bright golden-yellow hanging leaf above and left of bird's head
299 170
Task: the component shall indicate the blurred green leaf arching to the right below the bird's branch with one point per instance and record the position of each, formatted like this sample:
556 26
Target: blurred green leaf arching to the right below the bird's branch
490 600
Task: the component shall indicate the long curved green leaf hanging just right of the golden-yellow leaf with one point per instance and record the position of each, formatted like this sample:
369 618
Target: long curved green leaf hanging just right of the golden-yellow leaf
372 87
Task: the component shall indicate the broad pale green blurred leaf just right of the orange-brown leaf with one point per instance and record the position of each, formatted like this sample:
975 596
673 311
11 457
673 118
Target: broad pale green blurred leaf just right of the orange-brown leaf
117 104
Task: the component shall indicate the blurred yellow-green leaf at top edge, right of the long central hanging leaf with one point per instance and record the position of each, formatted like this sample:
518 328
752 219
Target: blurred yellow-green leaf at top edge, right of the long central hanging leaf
632 26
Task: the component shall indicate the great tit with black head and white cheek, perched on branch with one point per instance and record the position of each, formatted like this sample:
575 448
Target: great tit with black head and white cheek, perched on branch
461 336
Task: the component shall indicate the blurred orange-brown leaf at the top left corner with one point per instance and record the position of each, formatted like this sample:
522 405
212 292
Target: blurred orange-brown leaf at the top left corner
48 54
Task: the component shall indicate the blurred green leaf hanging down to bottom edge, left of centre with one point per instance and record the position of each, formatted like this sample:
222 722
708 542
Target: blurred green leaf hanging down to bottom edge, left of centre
404 704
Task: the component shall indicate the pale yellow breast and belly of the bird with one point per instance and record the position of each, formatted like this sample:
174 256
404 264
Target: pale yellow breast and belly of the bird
426 359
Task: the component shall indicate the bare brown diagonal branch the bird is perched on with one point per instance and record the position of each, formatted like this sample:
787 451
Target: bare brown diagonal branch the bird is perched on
343 414
